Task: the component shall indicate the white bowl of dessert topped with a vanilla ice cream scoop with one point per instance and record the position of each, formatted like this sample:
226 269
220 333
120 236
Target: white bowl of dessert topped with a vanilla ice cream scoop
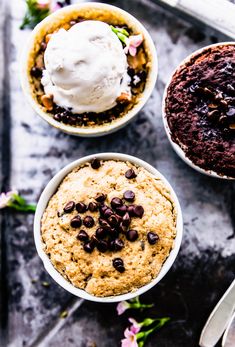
89 68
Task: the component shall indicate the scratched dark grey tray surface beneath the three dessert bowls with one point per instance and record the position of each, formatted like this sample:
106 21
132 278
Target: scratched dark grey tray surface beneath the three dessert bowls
34 152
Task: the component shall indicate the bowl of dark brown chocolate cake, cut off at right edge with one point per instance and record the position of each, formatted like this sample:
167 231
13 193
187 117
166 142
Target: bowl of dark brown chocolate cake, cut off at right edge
199 110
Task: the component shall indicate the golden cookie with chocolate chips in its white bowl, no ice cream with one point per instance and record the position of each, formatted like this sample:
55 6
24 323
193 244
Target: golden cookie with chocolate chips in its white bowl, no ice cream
110 227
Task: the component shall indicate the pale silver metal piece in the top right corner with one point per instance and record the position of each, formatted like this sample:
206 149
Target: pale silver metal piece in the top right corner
219 14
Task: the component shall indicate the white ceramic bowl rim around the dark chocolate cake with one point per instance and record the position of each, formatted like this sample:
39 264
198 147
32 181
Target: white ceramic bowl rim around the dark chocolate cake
175 146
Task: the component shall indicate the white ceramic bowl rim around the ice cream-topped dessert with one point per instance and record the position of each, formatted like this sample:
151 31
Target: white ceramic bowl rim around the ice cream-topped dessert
118 123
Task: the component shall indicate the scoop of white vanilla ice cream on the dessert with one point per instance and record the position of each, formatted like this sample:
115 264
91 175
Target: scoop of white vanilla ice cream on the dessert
85 68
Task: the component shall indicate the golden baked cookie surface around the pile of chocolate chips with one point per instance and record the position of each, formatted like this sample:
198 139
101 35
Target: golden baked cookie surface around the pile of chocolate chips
94 272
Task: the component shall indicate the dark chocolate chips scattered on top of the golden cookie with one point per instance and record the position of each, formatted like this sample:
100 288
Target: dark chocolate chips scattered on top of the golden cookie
113 220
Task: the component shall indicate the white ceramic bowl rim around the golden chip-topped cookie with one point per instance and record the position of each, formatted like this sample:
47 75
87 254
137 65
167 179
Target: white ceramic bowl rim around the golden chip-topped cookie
51 189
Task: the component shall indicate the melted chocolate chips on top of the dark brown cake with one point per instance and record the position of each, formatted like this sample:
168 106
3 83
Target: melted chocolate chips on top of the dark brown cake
219 108
